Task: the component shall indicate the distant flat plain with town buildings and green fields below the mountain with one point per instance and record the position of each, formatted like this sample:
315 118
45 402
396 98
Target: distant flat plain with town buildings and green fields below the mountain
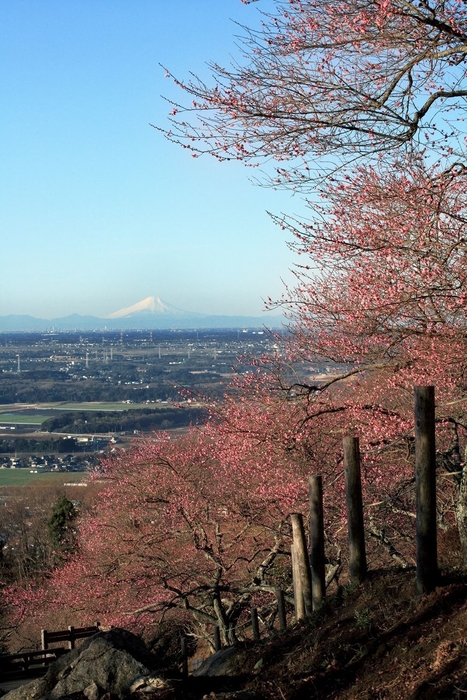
66 398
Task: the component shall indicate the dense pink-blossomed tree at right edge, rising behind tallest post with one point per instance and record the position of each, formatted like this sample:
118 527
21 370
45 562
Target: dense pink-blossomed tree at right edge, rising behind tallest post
382 292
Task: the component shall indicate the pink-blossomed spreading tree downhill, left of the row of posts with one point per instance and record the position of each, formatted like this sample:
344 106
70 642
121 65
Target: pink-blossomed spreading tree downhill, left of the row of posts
172 534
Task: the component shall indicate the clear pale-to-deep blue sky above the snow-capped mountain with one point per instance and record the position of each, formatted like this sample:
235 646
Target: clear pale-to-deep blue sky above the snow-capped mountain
97 209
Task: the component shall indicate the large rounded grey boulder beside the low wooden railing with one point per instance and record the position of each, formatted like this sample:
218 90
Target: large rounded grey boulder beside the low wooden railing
107 663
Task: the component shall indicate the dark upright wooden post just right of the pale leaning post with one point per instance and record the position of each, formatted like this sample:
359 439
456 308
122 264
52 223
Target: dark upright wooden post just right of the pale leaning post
317 561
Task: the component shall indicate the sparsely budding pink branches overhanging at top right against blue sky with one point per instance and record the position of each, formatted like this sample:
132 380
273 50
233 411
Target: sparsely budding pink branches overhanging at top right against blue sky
325 82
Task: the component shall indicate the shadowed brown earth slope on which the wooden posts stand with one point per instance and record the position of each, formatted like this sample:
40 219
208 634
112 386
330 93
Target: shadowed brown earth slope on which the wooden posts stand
374 641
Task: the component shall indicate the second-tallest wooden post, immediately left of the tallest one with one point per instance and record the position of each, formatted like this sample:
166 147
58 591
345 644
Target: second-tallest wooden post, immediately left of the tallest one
353 490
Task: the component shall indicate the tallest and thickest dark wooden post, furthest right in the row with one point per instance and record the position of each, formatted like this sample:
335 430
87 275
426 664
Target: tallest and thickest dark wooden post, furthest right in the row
425 483
